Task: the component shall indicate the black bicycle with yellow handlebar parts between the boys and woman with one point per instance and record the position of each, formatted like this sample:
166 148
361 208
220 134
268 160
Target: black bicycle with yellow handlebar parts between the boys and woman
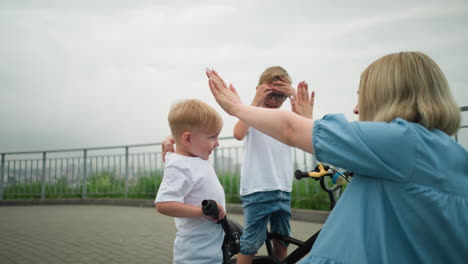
233 231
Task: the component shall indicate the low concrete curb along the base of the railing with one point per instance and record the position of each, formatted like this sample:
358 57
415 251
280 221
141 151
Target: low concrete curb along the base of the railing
297 214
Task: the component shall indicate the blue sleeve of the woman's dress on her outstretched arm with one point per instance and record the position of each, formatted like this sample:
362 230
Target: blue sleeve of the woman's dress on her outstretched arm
374 149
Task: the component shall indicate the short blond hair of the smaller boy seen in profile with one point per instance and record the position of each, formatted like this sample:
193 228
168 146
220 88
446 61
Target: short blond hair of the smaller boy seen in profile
189 114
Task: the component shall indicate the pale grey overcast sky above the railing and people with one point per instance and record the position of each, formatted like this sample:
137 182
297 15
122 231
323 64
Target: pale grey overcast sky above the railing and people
77 74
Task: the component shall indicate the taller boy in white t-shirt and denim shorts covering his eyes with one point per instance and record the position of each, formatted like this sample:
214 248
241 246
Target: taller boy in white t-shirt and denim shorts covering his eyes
267 167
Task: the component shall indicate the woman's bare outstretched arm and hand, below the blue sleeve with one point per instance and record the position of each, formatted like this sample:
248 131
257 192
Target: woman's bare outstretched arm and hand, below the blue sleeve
285 126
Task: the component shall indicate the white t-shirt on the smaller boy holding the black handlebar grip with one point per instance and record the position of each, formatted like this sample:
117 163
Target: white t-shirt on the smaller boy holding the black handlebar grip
191 180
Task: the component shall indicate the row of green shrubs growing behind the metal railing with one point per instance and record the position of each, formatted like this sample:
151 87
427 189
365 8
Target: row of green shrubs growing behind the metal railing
306 194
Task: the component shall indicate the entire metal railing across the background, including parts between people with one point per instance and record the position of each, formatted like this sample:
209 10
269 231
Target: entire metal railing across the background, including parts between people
130 171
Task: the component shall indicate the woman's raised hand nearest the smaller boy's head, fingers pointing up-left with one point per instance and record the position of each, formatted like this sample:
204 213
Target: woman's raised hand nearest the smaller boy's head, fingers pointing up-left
226 97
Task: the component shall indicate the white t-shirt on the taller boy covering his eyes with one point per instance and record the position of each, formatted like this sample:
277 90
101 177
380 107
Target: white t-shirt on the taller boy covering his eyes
267 164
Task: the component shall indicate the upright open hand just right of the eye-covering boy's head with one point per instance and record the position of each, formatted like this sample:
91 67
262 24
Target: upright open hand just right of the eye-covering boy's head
301 103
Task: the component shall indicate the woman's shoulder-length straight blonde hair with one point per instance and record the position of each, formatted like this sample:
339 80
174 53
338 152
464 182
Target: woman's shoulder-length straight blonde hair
411 86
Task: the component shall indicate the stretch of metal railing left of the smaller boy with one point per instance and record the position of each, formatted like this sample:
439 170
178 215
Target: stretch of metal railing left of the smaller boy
79 172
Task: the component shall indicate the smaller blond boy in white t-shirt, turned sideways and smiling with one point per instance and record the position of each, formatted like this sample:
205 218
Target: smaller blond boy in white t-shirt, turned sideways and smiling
189 179
